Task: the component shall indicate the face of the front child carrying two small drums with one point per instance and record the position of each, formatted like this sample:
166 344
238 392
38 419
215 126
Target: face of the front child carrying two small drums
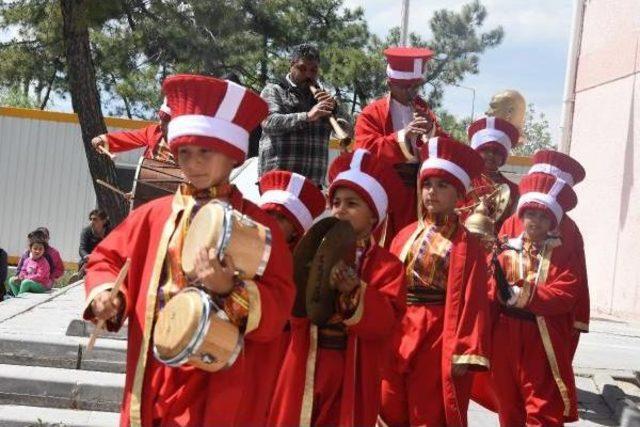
204 167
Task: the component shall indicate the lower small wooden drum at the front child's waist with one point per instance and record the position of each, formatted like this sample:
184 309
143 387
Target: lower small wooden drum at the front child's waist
192 330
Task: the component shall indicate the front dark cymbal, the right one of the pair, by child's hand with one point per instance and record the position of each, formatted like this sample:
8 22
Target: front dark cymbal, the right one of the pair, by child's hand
339 243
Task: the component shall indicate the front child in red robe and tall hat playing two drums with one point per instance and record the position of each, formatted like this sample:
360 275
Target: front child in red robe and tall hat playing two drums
209 136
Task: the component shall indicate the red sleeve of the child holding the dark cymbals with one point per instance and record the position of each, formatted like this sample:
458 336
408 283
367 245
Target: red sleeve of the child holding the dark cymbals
383 301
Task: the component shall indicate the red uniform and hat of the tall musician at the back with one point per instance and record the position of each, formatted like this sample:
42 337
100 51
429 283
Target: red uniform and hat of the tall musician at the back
381 126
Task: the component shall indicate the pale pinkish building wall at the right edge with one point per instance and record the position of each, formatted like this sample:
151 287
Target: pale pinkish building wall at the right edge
604 138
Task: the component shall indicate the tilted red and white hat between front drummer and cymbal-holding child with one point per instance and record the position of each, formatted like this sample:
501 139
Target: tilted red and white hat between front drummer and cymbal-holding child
292 195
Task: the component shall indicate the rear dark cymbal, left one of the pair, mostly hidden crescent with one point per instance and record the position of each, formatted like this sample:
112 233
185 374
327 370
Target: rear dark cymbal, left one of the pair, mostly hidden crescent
303 255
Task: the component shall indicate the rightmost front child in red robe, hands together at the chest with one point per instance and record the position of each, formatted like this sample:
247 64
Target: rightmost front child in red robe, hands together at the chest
536 288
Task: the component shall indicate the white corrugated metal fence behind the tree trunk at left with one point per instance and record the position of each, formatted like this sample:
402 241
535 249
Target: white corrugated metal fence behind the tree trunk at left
44 181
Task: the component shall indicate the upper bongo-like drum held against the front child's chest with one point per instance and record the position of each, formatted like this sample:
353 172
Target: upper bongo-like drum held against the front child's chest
219 227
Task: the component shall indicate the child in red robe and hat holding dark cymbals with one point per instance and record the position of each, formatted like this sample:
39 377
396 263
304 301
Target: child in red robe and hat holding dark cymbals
331 373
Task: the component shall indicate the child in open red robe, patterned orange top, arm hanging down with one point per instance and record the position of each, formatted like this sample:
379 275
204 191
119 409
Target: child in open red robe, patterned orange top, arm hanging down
445 332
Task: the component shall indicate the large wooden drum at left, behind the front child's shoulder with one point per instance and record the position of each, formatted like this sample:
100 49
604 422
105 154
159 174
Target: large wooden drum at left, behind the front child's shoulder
154 179
